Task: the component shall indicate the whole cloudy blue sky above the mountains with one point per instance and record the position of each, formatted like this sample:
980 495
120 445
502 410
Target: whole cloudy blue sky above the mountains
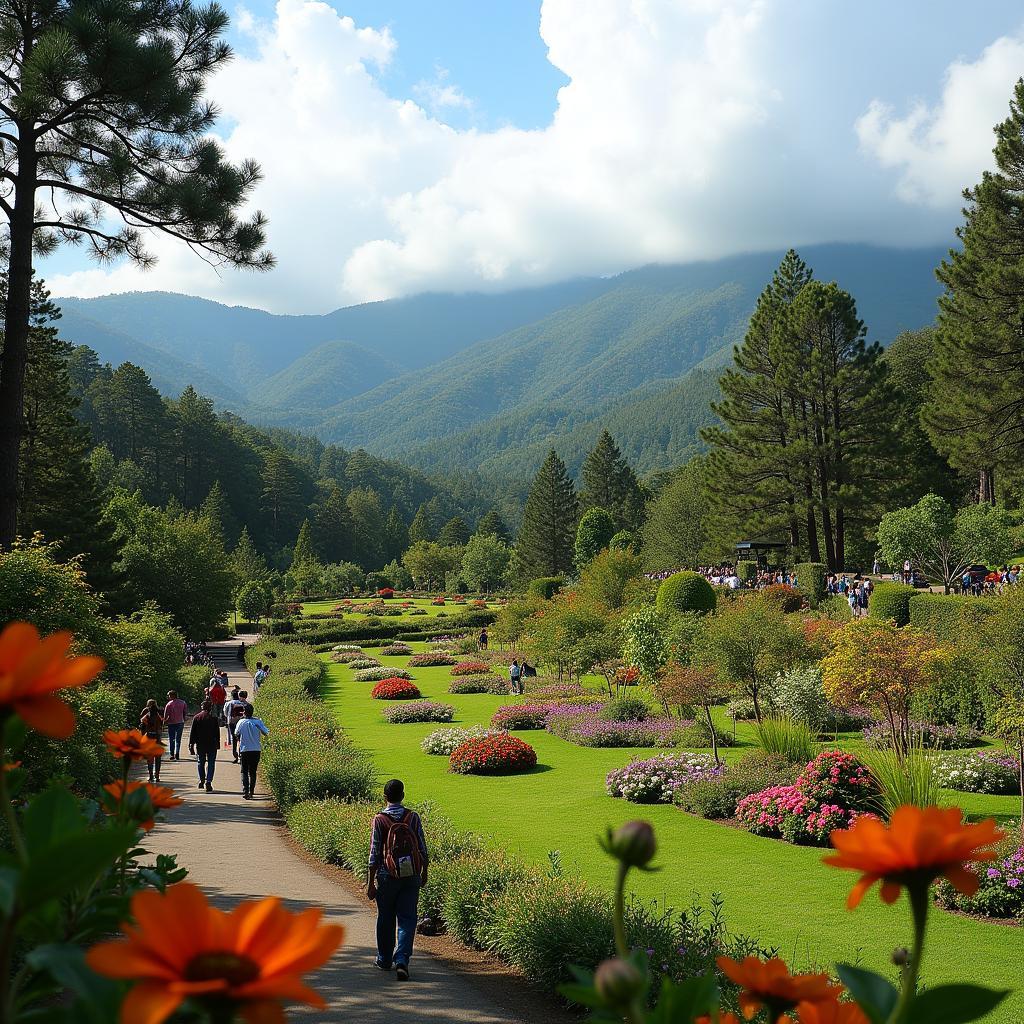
410 146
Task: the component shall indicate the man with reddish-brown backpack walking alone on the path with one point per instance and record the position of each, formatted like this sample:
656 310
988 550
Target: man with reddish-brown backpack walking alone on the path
398 871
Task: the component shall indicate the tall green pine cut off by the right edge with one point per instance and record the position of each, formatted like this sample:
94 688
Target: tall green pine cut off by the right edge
975 414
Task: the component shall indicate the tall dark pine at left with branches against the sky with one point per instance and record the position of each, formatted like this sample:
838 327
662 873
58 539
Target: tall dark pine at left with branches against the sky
103 113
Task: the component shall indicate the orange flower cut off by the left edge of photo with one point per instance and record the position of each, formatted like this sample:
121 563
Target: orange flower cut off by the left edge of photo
31 673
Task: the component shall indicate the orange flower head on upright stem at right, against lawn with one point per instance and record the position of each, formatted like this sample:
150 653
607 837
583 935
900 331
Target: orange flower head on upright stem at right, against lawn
919 846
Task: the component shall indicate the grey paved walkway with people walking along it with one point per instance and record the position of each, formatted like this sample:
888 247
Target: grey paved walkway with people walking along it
238 849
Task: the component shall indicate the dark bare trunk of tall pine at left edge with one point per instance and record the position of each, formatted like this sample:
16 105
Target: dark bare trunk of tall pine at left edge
16 349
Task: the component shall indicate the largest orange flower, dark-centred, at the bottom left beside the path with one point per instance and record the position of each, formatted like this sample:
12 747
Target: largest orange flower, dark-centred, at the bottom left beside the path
184 949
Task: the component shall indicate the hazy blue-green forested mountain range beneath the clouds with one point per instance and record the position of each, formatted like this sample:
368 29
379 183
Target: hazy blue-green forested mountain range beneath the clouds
490 382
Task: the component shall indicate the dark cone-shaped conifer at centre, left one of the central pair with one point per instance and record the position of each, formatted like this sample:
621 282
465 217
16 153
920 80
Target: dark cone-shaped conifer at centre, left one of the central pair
547 538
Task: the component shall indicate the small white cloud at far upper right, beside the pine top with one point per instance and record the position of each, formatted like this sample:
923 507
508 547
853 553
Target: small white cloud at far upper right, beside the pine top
942 150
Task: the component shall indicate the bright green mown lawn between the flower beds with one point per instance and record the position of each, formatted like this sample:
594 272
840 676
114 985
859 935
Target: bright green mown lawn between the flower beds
778 892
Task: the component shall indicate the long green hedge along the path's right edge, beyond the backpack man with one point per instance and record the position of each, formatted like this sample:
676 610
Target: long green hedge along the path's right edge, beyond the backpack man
306 757
